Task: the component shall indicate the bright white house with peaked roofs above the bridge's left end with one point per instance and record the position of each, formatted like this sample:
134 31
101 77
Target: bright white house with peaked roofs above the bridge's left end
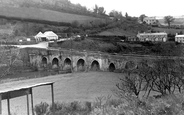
47 36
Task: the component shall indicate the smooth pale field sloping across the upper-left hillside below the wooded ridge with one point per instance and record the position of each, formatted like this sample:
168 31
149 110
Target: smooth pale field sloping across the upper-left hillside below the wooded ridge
42 14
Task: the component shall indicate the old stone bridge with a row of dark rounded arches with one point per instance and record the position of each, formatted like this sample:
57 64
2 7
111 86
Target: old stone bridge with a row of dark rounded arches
83 60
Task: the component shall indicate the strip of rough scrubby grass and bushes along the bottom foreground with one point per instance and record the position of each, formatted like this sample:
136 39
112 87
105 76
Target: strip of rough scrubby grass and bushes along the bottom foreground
129 105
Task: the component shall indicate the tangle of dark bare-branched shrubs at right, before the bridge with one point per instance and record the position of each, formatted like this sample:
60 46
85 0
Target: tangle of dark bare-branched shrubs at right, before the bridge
164 76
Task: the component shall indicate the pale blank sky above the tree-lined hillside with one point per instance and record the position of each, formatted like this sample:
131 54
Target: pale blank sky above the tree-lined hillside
138 7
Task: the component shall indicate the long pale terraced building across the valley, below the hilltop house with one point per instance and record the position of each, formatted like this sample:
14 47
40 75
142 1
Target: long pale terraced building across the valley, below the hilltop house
154 37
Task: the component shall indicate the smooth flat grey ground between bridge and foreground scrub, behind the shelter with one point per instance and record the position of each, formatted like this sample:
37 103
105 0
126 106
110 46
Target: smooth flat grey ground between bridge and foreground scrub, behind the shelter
67 88
